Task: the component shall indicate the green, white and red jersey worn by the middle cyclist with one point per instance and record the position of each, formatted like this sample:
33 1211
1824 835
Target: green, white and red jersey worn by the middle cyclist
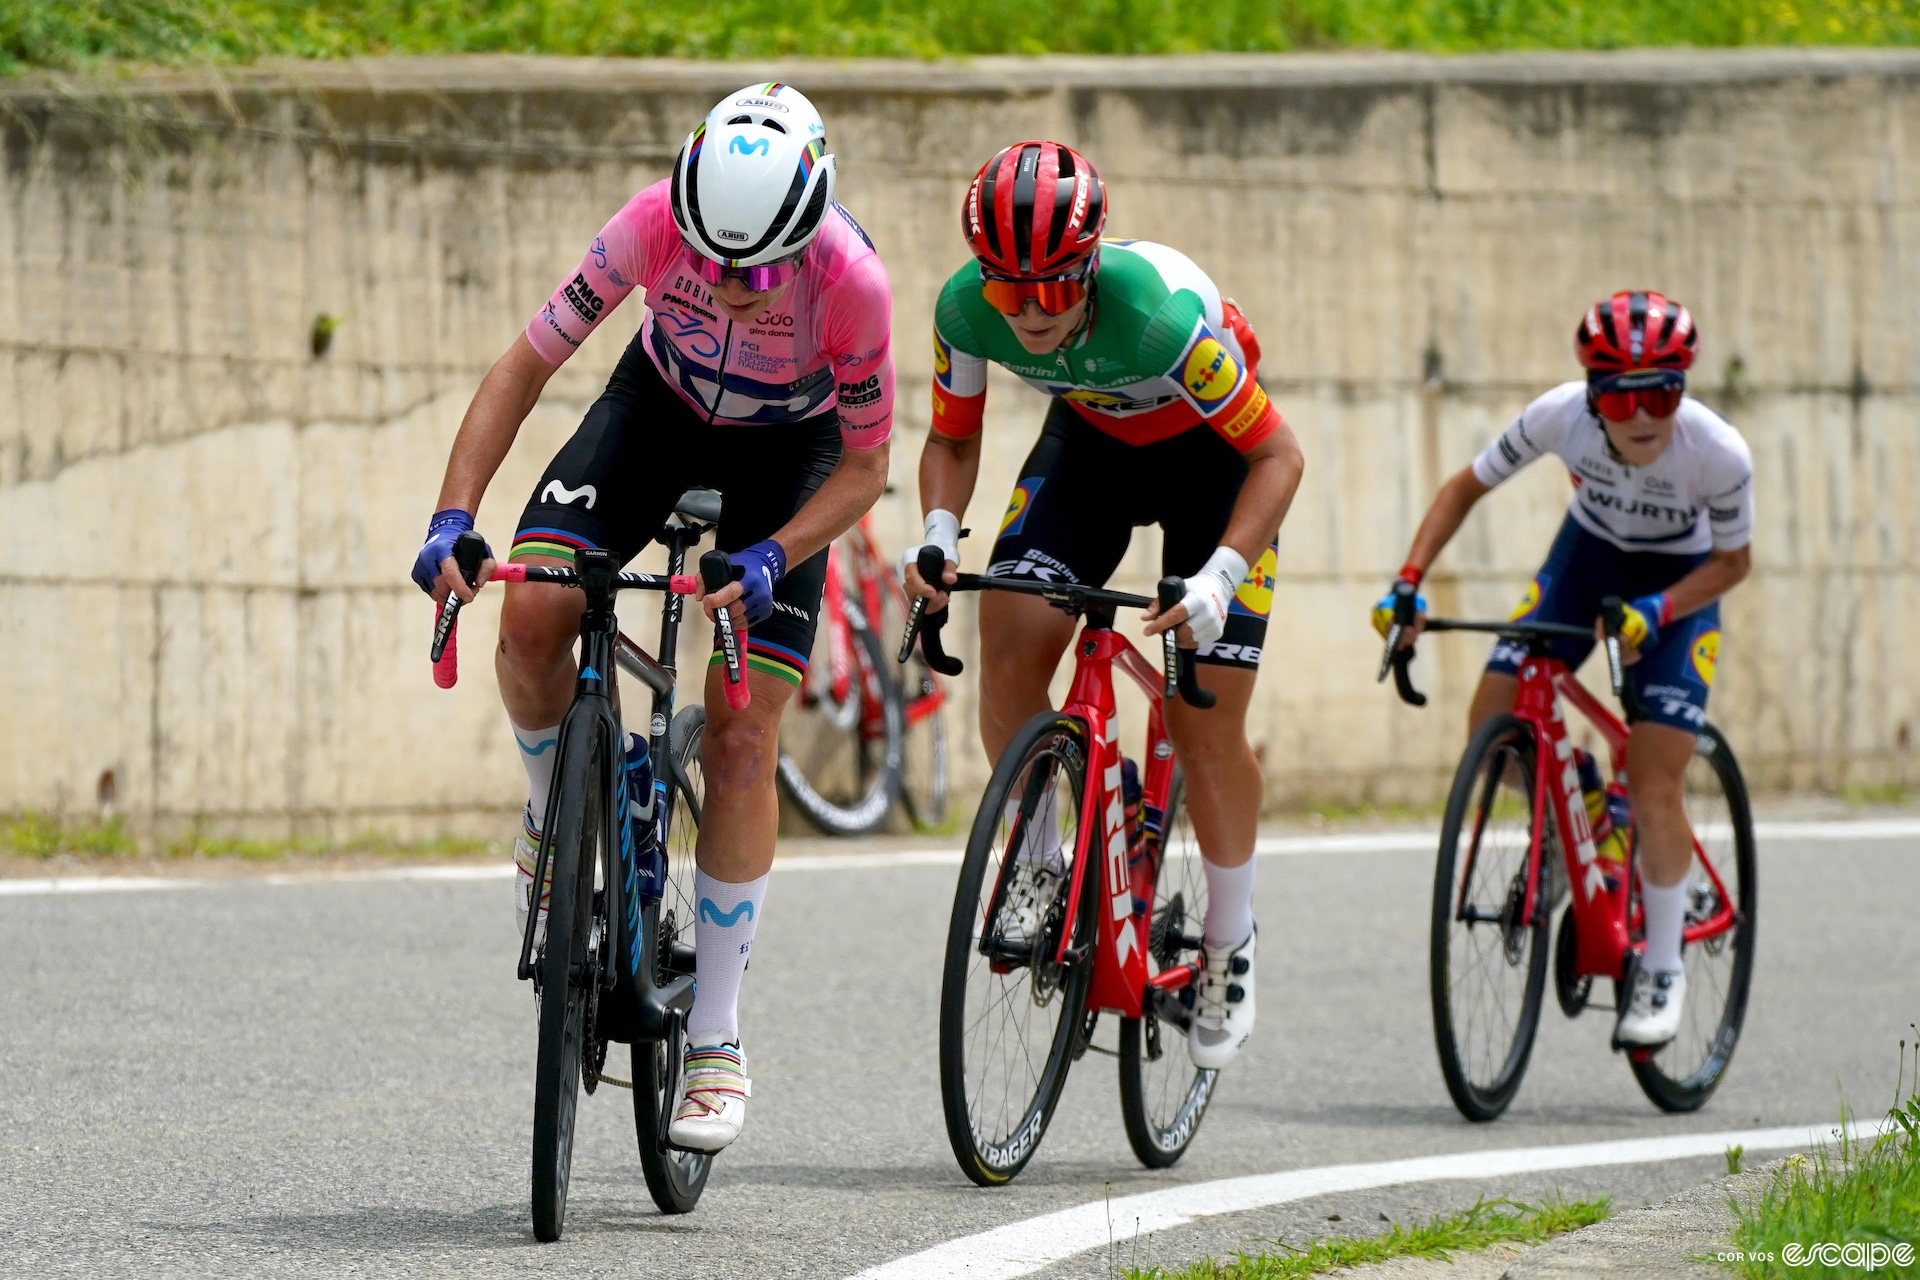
1159 356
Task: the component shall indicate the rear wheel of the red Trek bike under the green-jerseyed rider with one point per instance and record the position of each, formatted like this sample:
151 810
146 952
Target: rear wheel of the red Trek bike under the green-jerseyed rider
1163 1095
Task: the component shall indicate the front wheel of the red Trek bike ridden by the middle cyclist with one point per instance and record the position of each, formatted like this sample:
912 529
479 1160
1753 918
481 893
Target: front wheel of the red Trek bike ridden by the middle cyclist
1049 751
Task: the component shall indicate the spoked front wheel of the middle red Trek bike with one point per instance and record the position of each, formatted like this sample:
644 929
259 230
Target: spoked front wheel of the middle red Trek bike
1009 1007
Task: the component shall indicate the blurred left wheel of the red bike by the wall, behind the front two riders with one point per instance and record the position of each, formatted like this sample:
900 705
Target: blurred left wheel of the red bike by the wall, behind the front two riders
855 805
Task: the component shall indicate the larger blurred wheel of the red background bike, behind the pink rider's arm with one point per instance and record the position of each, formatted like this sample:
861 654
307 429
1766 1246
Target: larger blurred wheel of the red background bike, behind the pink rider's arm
840 747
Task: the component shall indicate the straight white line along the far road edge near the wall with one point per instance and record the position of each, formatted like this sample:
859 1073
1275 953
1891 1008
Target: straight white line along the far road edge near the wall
1272 845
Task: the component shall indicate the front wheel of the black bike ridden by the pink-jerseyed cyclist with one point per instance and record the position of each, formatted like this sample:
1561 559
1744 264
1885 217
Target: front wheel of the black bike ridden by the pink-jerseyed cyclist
567 980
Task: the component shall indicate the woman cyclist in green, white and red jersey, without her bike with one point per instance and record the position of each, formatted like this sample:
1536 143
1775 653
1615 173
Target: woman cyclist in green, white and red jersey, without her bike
1157 417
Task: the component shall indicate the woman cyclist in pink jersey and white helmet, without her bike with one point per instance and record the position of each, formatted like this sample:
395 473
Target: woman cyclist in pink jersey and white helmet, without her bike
761 369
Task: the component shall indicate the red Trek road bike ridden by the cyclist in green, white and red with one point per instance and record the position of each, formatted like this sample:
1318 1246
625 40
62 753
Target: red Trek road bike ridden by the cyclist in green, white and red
1067 909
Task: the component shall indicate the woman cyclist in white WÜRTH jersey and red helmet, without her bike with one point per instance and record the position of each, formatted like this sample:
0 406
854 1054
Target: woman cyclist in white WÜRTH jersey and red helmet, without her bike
1662 515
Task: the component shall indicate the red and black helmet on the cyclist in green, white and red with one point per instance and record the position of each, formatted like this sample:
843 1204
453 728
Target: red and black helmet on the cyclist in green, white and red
1034 212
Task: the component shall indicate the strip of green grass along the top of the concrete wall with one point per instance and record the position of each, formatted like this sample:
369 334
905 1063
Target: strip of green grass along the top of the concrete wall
70 34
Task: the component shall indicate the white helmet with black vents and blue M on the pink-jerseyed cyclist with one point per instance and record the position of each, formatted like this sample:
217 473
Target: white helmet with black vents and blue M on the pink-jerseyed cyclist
754 181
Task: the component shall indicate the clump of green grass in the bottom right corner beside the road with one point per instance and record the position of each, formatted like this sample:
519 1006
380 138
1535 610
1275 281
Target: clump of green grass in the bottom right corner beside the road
1854 1193
